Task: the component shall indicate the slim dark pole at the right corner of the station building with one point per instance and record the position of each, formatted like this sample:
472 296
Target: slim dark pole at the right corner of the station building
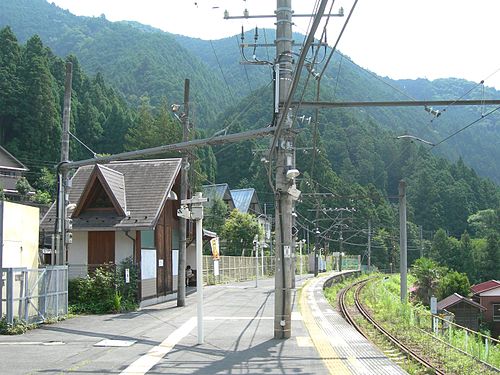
181 282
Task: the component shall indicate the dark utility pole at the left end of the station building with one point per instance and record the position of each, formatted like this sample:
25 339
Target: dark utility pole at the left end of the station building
61 239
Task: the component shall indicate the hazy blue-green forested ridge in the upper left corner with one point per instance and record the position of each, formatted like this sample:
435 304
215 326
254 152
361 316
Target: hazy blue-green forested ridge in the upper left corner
138 62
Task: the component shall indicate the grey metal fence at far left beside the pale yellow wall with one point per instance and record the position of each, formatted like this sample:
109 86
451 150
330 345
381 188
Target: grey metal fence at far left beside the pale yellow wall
34 295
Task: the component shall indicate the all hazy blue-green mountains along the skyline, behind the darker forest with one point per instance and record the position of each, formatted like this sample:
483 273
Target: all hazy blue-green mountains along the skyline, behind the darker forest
140 60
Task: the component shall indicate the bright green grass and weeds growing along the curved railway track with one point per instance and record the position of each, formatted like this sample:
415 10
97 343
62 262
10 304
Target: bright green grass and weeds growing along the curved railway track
411 323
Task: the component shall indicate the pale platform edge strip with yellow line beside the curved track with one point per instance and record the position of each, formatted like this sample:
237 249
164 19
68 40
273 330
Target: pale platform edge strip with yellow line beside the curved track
342 348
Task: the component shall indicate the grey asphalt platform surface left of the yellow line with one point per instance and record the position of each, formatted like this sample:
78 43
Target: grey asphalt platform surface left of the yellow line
162 340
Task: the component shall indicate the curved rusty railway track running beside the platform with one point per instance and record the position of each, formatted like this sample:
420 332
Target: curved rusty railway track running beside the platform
357 287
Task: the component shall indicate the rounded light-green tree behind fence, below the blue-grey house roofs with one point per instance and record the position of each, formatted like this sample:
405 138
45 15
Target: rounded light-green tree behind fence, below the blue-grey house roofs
239 230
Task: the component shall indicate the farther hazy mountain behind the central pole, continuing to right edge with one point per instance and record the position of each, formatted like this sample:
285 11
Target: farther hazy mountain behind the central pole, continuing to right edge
346 81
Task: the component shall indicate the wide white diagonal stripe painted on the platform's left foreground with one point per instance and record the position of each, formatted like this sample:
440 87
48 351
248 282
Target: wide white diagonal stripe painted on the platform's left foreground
145 363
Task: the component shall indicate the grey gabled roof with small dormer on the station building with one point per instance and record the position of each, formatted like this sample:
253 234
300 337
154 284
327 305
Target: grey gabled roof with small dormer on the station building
139 190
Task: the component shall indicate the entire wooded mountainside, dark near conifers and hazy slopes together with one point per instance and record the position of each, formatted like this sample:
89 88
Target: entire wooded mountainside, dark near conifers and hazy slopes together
126 76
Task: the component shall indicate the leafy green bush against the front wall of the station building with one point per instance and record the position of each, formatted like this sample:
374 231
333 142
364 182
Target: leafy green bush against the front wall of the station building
104 290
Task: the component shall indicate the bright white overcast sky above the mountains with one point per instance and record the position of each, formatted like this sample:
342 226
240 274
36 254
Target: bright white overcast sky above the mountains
396 38
